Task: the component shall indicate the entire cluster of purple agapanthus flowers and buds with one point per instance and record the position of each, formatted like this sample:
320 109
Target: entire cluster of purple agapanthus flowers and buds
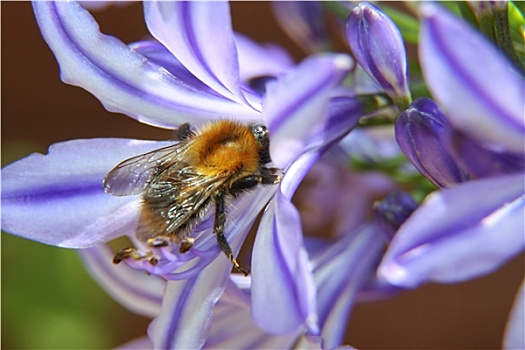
350 215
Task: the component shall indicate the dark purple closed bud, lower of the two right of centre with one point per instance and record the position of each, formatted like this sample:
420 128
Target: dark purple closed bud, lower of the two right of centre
422 133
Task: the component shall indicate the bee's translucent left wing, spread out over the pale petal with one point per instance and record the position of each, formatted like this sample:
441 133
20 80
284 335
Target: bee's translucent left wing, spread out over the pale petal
134 174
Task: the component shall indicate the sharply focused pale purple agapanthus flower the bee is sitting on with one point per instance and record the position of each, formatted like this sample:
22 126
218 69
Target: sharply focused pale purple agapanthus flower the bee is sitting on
184 76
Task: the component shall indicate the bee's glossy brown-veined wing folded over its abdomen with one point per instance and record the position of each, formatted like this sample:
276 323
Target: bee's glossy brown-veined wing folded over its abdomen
188 198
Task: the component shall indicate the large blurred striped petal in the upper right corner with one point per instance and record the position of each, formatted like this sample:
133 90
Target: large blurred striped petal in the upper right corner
481 93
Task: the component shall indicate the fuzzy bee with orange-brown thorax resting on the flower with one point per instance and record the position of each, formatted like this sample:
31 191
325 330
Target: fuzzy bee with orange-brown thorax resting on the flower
180 183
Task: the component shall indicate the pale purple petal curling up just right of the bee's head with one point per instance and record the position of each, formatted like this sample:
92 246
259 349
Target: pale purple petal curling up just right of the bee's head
295 107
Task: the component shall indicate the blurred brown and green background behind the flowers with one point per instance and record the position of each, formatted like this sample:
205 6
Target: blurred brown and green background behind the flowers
48 301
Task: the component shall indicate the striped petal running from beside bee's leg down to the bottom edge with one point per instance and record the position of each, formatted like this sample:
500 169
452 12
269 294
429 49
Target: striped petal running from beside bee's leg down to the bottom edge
188 304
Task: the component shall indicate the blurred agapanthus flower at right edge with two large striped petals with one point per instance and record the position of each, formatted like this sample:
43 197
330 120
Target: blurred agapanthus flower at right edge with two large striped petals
477 224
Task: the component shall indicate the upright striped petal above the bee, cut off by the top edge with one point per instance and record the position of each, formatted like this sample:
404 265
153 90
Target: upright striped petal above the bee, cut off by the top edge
200 35
